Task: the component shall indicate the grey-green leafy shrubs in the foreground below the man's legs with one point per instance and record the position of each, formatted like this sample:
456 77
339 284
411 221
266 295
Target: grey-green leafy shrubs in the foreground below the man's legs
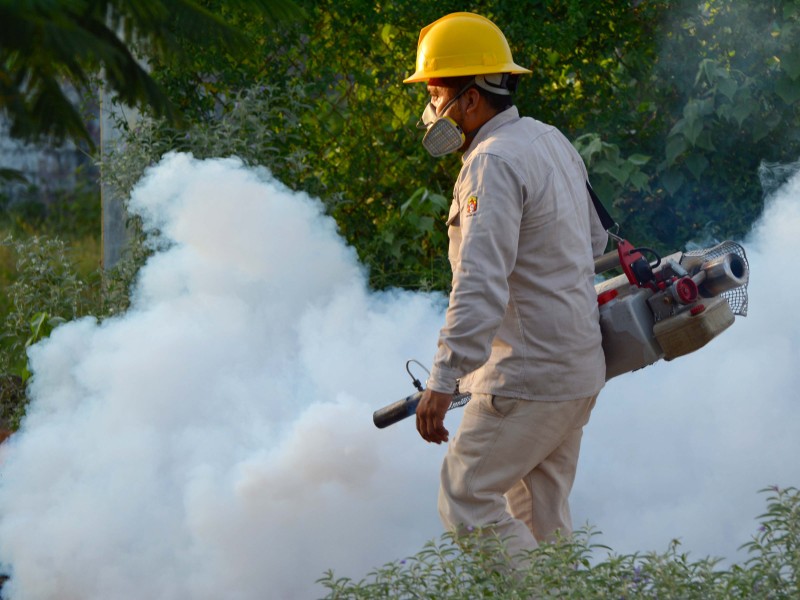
477 566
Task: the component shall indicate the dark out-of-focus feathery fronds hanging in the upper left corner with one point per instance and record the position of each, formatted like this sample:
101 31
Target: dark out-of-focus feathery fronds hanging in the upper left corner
44 44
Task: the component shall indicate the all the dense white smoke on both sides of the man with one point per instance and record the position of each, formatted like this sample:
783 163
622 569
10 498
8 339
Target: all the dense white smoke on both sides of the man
216 441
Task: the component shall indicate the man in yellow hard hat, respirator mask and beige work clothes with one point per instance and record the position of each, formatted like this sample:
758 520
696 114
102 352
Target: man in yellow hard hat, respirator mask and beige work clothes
521 331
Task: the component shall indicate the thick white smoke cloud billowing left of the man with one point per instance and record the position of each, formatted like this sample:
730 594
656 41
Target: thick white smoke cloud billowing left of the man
216 441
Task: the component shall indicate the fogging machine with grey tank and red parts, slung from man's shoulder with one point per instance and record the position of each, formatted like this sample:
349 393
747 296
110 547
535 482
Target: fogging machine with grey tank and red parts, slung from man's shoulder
657 308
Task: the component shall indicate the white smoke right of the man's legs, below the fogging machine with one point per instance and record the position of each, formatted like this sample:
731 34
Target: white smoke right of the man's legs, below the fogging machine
680 450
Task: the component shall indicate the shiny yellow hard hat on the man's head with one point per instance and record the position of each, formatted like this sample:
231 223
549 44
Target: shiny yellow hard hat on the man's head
462 44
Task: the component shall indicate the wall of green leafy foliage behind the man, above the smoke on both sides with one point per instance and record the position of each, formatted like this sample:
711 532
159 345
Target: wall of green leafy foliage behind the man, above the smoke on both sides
673 104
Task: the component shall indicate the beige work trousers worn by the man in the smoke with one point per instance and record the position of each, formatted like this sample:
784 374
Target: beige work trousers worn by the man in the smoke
511 466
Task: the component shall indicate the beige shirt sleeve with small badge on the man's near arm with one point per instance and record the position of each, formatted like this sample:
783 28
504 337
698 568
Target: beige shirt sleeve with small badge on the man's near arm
490 195
